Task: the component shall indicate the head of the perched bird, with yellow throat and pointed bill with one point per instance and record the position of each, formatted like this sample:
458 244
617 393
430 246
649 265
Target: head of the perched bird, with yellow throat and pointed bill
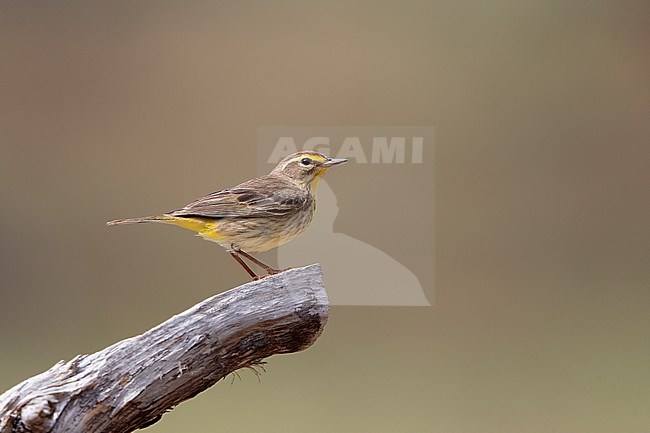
307 167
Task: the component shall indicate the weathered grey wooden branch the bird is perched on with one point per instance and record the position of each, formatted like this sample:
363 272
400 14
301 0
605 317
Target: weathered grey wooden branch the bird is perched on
132 383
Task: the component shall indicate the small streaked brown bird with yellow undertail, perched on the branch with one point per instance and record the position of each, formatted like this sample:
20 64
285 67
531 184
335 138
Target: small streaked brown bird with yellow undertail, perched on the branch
257 215
